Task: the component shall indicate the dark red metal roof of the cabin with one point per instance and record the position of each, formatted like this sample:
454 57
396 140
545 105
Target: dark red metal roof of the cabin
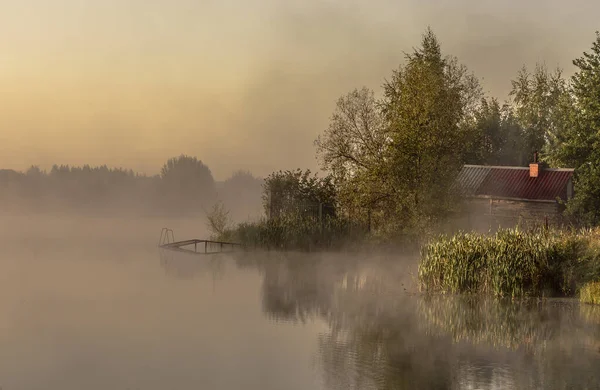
514 182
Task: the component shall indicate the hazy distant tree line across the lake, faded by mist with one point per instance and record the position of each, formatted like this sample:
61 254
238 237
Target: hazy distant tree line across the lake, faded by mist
185 186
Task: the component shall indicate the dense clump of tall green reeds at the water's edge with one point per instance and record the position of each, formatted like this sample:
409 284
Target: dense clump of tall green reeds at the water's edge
510 262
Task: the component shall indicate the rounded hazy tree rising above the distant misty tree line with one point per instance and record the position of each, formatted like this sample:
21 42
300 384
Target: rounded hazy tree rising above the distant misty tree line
187 179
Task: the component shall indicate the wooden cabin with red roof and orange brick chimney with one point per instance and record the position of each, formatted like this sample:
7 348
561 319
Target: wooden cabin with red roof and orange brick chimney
505 196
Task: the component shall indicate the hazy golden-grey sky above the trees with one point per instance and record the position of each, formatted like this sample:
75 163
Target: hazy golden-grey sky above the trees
239 84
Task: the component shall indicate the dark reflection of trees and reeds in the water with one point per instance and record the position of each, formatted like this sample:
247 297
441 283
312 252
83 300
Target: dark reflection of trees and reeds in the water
381 337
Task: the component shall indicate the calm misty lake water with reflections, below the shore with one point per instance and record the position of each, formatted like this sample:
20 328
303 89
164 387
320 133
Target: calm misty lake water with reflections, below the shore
94 304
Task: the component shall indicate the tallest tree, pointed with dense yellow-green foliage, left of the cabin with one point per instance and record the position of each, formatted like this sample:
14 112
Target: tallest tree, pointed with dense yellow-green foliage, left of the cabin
429 106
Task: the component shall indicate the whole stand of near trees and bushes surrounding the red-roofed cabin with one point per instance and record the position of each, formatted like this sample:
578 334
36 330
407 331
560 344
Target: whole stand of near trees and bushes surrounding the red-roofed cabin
391 162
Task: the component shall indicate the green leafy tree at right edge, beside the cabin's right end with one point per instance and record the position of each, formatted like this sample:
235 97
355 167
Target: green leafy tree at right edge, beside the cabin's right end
580 143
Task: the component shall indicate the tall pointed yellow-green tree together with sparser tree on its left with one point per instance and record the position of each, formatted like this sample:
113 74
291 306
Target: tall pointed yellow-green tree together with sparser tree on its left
394 161
